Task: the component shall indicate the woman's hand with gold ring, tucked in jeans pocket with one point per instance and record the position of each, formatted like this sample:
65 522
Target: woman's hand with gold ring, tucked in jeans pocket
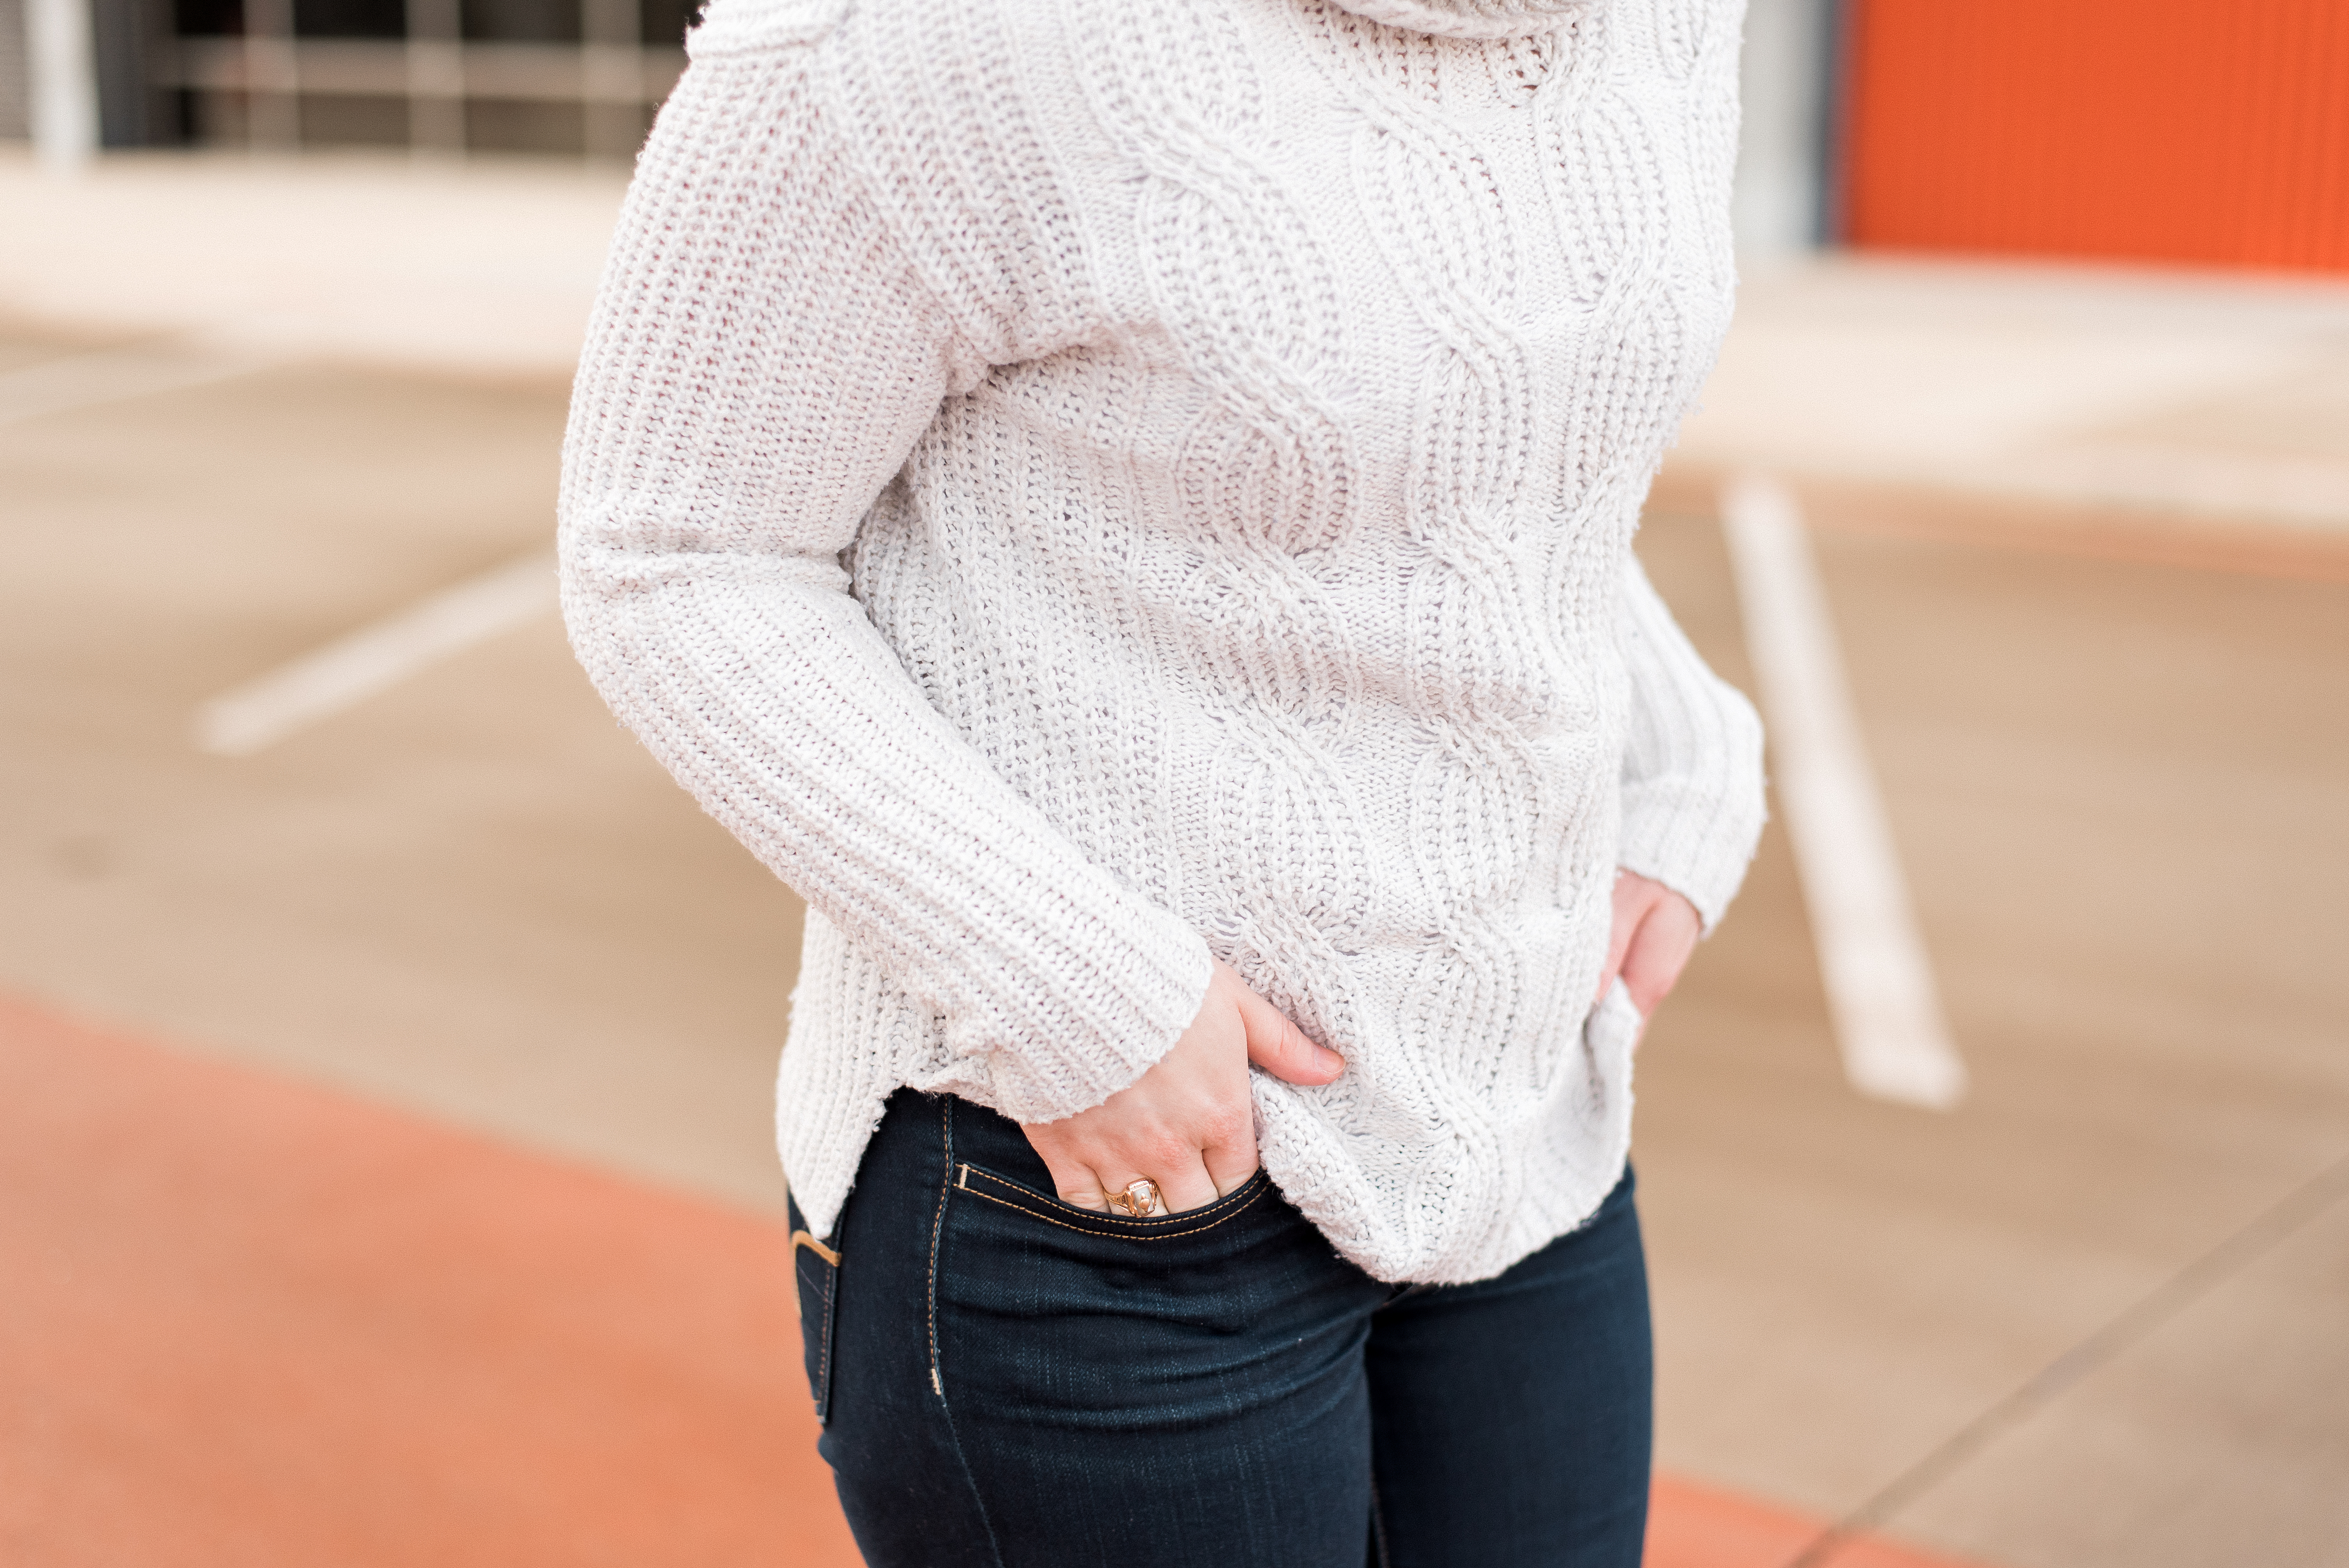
1190 1123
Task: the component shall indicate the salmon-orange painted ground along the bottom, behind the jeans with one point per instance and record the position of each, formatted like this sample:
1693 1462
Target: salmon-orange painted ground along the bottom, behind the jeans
257 1323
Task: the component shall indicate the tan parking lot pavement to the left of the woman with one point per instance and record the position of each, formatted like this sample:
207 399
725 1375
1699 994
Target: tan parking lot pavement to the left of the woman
436 853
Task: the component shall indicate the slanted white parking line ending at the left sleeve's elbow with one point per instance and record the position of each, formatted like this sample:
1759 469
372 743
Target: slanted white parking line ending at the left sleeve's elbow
375 658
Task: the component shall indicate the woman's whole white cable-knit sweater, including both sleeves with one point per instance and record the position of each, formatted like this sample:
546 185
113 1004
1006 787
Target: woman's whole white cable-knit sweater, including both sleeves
1082 487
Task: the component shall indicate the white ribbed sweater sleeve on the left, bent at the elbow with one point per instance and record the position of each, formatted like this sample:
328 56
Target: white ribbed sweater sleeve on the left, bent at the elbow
760 365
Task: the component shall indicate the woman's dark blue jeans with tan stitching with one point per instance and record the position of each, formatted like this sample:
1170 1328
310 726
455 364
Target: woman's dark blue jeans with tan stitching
1016 1384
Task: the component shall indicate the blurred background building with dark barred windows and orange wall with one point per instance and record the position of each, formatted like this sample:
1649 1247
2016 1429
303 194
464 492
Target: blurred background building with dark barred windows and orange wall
2087 128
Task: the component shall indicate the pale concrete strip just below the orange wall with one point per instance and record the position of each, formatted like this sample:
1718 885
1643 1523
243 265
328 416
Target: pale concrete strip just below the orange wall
2223 398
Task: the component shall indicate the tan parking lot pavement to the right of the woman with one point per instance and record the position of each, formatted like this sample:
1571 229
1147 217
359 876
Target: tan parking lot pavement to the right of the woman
2118 790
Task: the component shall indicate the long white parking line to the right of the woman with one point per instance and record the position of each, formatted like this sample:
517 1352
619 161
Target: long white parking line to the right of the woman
1880 985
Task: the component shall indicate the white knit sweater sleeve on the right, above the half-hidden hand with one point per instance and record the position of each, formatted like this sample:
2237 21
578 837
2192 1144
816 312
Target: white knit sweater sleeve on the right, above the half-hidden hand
1692 766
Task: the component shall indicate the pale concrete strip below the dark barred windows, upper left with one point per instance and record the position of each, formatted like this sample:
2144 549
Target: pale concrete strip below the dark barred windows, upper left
480 269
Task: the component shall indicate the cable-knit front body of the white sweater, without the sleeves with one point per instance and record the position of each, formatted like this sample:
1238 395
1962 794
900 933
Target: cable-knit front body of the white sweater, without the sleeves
1279 565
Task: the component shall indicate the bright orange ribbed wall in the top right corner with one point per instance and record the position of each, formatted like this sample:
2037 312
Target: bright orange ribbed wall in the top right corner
2153 130
